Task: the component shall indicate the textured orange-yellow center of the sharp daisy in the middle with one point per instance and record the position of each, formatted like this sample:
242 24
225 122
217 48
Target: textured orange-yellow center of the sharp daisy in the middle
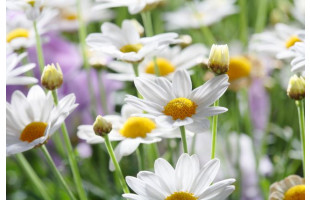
180 108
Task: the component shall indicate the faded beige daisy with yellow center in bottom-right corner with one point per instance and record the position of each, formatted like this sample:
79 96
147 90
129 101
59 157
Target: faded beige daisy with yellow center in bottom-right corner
291 188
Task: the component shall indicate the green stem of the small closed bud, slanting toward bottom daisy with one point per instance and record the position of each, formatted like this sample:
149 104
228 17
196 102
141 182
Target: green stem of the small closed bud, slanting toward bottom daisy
116 165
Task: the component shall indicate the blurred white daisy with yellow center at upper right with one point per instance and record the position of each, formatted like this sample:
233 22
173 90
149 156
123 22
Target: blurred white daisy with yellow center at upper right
277 42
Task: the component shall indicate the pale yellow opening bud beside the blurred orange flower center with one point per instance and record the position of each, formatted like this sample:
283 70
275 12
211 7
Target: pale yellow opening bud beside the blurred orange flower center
219 59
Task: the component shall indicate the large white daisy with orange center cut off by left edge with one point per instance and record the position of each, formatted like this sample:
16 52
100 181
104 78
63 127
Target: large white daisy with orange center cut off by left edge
32 120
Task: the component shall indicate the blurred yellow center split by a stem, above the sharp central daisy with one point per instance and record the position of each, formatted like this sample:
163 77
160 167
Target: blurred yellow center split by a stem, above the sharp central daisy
164 66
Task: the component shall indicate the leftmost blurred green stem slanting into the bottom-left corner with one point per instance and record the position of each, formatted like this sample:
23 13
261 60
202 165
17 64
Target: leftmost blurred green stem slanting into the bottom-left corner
32 175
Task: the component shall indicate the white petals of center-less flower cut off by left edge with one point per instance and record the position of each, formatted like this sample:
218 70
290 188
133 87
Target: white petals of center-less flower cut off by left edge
13 72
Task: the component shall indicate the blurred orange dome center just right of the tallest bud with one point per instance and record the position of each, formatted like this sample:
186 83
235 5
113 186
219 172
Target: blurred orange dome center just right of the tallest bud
239 67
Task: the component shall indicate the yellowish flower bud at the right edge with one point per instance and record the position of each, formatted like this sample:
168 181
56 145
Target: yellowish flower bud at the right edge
296 88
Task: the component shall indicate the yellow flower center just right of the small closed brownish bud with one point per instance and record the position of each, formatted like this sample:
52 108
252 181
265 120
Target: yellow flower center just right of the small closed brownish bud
137 127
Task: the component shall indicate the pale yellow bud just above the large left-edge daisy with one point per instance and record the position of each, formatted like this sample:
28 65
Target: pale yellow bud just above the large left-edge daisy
52 77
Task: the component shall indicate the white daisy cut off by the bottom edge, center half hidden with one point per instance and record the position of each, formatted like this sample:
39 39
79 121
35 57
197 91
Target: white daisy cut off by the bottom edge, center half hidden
188 181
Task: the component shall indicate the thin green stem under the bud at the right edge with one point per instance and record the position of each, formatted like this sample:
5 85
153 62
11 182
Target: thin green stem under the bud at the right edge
301 117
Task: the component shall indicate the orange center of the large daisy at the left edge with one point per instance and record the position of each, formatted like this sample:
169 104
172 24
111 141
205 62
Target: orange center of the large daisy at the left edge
33 131
